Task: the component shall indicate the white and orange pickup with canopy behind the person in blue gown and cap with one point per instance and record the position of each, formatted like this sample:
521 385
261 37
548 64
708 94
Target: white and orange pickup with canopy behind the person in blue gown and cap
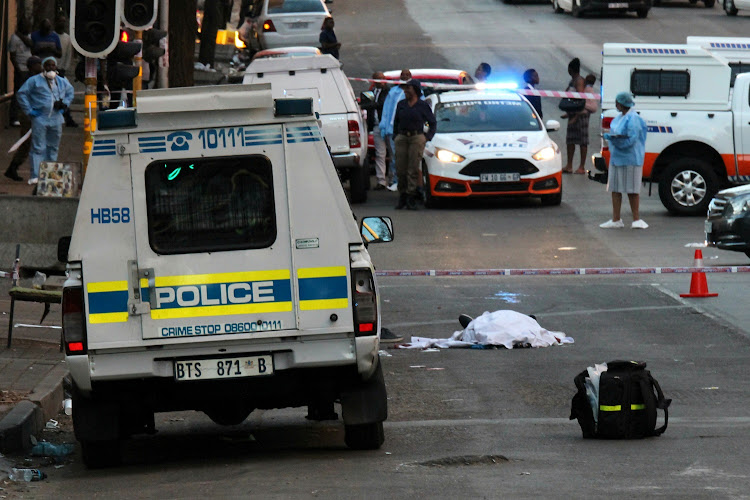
694 99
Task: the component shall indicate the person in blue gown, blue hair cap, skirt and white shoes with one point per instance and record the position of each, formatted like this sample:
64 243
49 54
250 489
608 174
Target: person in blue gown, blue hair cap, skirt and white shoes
627 146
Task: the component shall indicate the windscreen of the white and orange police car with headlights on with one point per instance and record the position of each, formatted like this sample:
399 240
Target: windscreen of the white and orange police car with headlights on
491 115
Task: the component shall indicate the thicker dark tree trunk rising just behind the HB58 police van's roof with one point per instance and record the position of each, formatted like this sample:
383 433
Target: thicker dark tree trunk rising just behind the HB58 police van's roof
182 30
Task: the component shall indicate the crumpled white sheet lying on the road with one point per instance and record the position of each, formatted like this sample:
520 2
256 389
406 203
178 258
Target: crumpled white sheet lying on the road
500 328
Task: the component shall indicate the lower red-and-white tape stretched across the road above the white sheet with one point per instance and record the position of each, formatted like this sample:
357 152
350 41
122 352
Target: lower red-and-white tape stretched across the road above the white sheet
564 271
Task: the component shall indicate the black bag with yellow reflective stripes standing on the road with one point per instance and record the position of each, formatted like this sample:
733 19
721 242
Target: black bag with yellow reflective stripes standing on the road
628 399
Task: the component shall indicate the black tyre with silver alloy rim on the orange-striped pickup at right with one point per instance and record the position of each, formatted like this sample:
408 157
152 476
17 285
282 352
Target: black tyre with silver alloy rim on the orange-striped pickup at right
687 186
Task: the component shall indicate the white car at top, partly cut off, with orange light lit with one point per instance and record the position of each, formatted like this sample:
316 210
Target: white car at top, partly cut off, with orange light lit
286 23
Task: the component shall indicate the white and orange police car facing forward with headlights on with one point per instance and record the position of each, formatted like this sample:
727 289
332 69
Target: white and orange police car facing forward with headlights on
490 144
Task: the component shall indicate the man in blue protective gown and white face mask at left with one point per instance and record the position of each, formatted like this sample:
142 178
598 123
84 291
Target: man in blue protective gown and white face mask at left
44 98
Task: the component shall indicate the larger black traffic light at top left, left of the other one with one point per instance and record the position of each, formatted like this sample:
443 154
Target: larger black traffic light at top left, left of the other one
94 26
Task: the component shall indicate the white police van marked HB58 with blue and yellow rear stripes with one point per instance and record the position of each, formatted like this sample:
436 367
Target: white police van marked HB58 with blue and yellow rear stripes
215 265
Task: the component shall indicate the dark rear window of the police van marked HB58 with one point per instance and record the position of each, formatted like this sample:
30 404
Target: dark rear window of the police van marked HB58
210 204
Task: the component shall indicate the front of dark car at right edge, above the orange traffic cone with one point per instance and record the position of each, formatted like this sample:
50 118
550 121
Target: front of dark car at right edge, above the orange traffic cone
728 223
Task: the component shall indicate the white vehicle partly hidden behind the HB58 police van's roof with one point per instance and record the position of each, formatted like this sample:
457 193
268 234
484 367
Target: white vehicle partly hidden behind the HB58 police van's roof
322 79
